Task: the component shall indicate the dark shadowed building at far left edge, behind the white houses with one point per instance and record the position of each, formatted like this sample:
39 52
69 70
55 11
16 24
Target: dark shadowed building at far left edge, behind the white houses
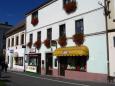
4 27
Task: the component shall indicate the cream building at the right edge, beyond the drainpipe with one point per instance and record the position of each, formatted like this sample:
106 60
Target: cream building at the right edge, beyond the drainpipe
111 37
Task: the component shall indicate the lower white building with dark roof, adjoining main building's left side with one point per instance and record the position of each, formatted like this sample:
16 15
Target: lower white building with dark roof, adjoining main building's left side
15 47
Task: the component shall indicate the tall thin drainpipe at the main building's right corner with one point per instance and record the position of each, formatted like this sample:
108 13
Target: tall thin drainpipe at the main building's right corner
107 41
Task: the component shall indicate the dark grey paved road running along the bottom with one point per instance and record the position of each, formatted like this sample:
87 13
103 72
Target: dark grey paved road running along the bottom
21 79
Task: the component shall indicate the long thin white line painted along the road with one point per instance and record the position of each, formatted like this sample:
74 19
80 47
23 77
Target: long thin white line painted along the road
52 79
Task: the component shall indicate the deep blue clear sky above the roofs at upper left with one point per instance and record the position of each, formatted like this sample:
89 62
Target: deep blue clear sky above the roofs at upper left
13 11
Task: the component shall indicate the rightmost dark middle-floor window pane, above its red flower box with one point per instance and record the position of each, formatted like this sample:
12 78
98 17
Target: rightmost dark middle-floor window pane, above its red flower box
79 27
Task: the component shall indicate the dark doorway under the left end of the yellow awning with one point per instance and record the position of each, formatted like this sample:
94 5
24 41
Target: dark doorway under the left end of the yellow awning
63 65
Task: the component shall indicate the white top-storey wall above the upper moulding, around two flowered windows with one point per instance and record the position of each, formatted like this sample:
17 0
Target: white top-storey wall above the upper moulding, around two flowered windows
54 12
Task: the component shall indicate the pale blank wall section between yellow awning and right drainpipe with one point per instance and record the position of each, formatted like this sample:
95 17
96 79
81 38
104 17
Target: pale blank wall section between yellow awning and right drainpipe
97 62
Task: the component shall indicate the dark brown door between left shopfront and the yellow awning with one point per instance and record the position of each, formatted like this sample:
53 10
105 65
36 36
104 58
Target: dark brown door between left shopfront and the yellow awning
49 63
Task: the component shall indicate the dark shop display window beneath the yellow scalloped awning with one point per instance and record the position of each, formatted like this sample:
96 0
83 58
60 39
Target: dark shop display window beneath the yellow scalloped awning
77 63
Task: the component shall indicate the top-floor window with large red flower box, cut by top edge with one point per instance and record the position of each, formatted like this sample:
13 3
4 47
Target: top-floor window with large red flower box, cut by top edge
69 5
